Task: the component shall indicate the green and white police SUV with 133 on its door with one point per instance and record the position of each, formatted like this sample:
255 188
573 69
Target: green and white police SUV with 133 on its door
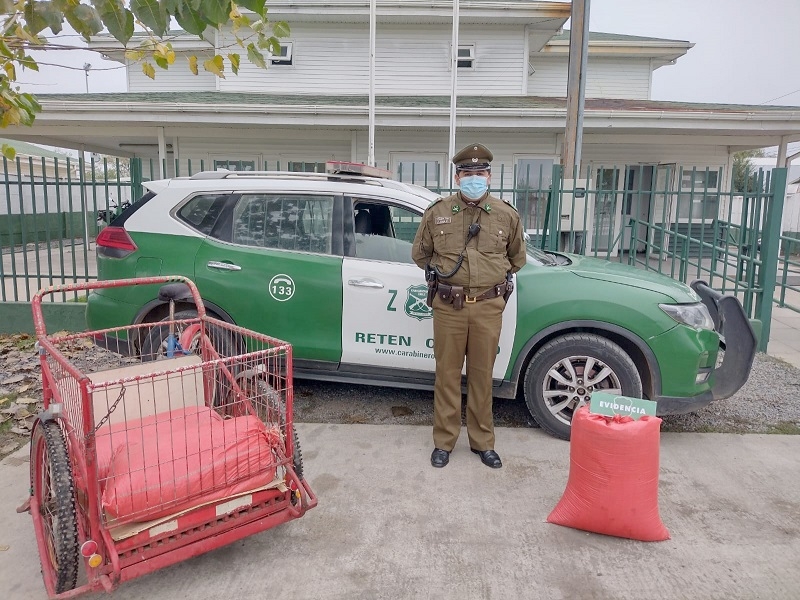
324 261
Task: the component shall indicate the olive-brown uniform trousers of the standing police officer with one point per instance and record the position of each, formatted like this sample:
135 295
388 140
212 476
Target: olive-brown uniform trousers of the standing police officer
474 332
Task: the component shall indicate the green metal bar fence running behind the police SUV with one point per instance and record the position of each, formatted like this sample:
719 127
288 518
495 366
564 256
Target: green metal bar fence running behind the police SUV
664 218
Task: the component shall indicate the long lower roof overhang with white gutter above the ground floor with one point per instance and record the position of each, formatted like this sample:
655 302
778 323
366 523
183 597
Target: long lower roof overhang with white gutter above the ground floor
116 126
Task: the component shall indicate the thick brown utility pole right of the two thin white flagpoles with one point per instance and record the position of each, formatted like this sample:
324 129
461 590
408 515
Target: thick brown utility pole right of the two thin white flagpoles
576 87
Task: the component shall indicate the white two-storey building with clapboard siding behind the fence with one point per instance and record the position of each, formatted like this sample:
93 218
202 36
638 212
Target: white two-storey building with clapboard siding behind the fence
312 106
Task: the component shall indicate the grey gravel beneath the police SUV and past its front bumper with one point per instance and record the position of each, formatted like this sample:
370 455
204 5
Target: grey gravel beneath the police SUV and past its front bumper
768 403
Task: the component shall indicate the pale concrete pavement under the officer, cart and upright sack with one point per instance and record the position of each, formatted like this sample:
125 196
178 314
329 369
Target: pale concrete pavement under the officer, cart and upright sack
390 526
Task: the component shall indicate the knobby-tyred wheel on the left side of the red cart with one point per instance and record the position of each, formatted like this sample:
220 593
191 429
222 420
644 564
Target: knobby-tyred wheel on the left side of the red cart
54 489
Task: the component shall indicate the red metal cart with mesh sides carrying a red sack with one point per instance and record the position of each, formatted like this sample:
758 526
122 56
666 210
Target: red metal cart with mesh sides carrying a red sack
139 462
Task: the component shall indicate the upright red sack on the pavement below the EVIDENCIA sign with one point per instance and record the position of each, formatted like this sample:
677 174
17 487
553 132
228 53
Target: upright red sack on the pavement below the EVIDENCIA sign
613 477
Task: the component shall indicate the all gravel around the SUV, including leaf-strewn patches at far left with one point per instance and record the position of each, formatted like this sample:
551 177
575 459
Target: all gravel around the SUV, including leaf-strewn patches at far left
768 403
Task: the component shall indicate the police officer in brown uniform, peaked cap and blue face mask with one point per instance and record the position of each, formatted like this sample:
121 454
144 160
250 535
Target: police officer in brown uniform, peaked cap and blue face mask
469 243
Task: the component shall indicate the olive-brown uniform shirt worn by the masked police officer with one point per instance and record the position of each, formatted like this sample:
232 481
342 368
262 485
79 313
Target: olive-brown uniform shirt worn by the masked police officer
498 249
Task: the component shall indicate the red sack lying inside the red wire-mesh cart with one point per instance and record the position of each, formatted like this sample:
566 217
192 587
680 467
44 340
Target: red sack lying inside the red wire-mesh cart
168 462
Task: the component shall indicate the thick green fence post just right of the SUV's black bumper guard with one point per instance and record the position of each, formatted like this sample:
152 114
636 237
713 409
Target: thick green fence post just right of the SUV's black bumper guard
770 241
